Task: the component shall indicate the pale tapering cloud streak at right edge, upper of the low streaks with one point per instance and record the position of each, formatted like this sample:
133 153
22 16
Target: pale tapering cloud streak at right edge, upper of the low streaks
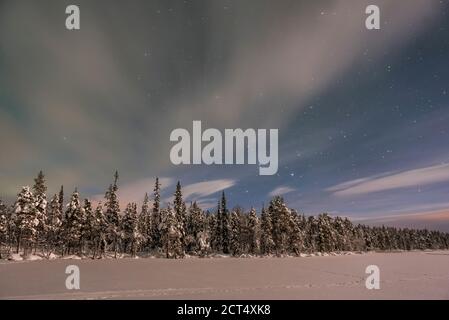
389 181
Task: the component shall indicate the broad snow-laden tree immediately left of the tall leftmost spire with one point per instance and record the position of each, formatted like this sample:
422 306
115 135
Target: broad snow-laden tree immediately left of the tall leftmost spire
26 220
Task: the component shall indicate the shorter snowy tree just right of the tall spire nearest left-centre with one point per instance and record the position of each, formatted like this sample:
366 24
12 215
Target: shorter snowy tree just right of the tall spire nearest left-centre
132 235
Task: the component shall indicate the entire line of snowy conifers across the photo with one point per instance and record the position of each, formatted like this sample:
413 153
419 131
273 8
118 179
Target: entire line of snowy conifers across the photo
32 224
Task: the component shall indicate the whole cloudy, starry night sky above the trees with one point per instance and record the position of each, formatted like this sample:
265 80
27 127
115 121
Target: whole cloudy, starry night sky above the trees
363 115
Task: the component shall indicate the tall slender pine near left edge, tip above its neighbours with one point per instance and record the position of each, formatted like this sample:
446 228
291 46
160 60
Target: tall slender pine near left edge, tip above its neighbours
39 190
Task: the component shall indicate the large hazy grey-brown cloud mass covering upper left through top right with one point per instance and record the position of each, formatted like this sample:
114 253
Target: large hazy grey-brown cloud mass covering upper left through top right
116 98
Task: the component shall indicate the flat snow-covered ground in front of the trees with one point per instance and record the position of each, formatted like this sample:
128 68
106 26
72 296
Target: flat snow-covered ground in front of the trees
403 275
